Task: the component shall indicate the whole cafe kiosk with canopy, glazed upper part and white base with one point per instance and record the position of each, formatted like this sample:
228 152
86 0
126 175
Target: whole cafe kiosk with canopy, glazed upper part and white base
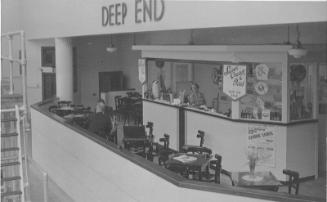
274 114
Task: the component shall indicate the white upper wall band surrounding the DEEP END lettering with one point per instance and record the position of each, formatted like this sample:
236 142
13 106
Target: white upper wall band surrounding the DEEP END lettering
85 16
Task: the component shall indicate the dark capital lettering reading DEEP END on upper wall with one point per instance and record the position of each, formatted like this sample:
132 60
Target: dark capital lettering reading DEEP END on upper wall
144 11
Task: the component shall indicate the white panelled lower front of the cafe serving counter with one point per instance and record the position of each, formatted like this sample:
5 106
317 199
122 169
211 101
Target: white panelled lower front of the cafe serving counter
291 145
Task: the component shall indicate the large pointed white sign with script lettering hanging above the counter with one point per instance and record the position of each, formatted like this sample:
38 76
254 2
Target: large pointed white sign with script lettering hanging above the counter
234 81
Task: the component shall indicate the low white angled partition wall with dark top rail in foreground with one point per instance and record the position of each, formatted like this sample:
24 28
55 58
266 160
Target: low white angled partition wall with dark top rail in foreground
90 170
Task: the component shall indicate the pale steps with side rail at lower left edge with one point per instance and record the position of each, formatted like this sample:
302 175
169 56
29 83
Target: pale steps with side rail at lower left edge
13 156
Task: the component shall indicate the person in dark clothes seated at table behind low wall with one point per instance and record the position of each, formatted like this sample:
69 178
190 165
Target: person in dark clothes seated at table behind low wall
100 123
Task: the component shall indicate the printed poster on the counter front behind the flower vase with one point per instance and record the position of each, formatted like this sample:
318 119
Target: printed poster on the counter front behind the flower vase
262 140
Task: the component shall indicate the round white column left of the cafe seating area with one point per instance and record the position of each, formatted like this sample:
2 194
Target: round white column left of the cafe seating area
64 68
